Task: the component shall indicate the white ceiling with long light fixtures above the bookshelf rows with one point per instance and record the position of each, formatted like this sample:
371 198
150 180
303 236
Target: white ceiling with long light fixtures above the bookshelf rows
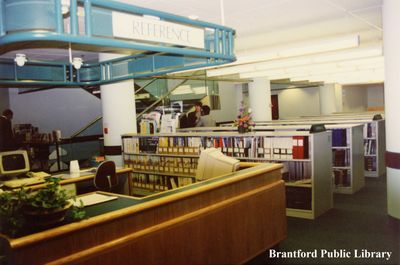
267 25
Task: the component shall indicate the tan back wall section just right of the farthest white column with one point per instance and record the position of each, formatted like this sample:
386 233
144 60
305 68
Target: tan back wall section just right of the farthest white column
354 98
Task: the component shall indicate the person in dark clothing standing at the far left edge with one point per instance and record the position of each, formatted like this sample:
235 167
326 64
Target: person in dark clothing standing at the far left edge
7 141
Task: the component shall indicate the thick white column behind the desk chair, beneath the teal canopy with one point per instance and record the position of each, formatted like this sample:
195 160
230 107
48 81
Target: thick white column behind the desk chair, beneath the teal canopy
119 114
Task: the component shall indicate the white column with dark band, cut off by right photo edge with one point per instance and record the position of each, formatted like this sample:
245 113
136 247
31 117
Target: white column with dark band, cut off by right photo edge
391 20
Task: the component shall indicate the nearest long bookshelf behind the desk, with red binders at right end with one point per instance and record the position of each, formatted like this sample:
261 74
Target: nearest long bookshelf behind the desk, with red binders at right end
306 157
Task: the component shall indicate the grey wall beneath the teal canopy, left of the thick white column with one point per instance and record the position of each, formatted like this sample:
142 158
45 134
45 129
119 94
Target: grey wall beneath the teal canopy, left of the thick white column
67 109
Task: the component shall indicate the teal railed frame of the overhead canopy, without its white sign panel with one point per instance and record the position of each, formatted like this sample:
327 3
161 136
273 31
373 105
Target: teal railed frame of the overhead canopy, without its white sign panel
156 59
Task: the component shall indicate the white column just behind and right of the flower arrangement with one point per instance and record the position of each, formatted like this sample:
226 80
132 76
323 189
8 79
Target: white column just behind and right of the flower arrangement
260 99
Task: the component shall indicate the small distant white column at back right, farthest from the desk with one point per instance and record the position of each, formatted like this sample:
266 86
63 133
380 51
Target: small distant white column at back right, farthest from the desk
330 99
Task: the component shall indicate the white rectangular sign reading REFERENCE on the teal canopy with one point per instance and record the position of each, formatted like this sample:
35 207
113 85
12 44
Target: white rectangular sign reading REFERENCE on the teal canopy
148 29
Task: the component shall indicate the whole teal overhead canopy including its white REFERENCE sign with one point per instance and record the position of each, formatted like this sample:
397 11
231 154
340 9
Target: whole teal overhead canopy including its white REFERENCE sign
153 46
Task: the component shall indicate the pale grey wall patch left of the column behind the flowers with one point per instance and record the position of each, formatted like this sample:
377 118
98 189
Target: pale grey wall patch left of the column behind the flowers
229 108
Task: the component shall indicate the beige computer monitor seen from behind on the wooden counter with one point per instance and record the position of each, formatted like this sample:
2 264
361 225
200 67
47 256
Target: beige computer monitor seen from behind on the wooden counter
213 163
